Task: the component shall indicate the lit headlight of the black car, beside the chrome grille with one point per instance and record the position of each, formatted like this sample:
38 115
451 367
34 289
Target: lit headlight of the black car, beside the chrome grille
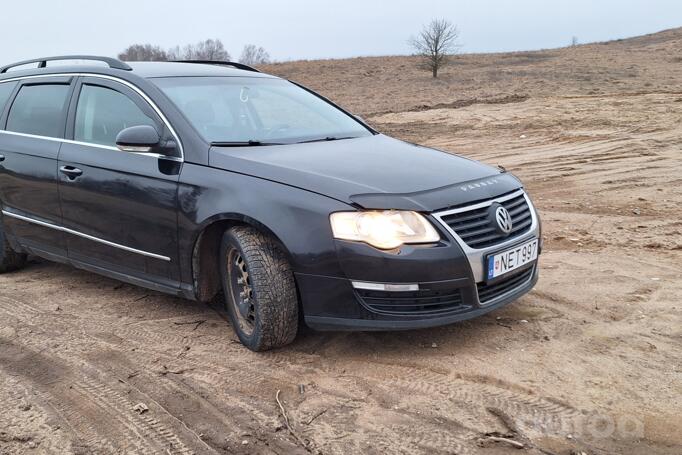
383 229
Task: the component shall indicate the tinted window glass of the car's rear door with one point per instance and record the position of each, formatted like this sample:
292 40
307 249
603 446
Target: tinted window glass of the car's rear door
39 110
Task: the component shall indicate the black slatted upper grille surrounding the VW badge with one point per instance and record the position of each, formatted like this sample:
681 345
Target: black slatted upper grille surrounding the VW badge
478 229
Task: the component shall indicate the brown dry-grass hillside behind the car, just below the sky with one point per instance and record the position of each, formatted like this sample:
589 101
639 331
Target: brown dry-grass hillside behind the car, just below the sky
370 85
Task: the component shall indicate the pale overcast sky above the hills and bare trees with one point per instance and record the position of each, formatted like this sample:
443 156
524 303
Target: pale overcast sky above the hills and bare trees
299 29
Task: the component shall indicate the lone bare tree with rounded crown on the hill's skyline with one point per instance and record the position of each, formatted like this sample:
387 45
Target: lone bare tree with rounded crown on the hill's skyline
435 43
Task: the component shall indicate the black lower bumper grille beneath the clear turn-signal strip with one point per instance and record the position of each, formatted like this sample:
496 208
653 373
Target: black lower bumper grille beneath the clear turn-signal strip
425 302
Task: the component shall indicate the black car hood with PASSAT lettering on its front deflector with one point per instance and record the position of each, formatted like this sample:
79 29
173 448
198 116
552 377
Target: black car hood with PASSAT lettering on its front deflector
374 172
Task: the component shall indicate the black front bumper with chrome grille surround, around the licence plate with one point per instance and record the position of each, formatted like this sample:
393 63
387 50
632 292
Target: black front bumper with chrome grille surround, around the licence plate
436 284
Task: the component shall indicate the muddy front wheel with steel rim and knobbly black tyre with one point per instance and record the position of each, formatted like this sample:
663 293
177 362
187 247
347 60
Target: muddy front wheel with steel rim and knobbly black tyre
260 293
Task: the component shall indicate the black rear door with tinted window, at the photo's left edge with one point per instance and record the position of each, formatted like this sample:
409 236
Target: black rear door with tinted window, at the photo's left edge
31 133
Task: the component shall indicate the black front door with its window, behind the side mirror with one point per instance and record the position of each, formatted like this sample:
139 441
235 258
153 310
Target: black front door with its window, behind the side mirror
120 208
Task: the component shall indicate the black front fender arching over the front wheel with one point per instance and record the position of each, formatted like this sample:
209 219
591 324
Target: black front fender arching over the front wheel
299 219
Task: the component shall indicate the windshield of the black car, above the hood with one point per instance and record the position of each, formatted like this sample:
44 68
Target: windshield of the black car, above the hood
257 111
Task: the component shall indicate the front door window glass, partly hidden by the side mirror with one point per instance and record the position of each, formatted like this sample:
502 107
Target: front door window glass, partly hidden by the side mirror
102 113
